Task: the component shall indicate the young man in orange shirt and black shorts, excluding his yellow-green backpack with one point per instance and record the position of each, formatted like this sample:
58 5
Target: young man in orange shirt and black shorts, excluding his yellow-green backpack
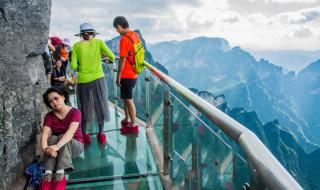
127 77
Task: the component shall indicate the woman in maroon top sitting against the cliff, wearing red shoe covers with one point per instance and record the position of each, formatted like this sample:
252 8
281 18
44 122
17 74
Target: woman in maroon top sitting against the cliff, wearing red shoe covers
65 141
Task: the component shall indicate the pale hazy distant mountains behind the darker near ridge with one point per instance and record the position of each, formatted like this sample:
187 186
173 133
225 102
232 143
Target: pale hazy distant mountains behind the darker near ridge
211 64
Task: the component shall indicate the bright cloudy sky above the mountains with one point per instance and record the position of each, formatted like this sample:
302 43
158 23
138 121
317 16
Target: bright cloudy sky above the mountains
252 24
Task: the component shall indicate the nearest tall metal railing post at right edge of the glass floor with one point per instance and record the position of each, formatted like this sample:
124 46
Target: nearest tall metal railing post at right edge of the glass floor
166 128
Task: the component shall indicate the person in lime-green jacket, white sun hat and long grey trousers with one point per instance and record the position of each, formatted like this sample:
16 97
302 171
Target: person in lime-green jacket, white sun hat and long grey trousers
92 92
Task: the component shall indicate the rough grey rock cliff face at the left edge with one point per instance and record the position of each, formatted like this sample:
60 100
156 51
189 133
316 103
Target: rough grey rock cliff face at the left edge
24 29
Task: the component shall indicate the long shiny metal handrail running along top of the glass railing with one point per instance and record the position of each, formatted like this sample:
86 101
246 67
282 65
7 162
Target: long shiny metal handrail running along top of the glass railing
267 167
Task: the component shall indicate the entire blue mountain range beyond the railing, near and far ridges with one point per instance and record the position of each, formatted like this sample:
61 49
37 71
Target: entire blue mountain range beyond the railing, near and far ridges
277 106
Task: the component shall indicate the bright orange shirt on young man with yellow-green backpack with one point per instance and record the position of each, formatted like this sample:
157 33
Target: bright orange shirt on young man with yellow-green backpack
125 47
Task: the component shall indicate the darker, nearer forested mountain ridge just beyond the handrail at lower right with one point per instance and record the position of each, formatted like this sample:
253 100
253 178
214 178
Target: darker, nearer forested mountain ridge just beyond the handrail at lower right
280 141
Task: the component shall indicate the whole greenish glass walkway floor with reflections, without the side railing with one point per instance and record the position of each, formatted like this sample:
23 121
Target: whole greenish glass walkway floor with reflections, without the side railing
125 162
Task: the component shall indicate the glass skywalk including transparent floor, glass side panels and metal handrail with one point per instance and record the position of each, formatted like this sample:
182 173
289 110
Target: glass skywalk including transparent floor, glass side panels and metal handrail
196 145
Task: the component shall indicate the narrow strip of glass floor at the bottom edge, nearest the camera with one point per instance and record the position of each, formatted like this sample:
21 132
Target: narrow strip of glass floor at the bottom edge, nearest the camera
142 183
